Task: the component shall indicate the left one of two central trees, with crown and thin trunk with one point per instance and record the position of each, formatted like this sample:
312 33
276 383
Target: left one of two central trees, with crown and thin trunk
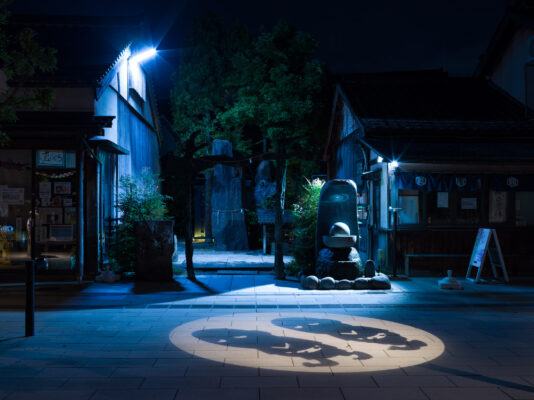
200 94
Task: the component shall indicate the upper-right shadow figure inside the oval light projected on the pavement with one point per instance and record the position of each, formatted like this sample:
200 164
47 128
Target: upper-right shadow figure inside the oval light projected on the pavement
343 331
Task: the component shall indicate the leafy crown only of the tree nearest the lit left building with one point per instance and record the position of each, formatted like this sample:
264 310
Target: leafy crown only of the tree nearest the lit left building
201 91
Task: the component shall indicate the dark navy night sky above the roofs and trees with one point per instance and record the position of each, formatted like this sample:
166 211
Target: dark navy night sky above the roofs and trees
353 36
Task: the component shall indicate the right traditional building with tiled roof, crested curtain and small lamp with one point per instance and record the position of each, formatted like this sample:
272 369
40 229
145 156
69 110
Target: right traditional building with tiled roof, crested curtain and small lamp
447 155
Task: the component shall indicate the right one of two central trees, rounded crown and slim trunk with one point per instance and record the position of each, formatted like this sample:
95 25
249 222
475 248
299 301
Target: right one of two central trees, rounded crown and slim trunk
277 82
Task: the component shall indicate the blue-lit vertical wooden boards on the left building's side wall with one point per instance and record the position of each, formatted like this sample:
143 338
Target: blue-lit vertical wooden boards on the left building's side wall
136 136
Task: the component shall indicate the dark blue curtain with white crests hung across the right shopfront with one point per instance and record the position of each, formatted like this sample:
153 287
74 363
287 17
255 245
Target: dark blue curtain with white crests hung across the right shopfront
436 182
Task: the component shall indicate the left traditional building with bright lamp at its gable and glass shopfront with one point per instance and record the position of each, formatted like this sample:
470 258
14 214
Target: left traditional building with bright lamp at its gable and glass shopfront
103 124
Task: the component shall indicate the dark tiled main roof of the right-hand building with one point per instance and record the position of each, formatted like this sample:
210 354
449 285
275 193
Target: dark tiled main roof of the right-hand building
427 96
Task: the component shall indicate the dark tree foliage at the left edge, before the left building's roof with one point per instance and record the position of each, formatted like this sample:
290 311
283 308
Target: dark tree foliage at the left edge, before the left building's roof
21 58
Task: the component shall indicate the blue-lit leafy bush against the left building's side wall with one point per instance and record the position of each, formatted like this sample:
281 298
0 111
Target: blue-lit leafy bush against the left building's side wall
139 200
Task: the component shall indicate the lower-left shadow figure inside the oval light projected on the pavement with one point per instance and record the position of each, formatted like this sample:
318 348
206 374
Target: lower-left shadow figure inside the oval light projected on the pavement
292 347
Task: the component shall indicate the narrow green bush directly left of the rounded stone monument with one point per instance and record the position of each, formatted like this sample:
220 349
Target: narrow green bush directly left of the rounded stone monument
305 222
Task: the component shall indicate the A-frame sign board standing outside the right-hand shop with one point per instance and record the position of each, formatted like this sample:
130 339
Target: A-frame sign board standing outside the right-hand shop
485 246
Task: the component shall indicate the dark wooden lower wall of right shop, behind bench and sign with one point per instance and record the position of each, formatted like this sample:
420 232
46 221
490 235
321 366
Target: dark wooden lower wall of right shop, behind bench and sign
515 244
